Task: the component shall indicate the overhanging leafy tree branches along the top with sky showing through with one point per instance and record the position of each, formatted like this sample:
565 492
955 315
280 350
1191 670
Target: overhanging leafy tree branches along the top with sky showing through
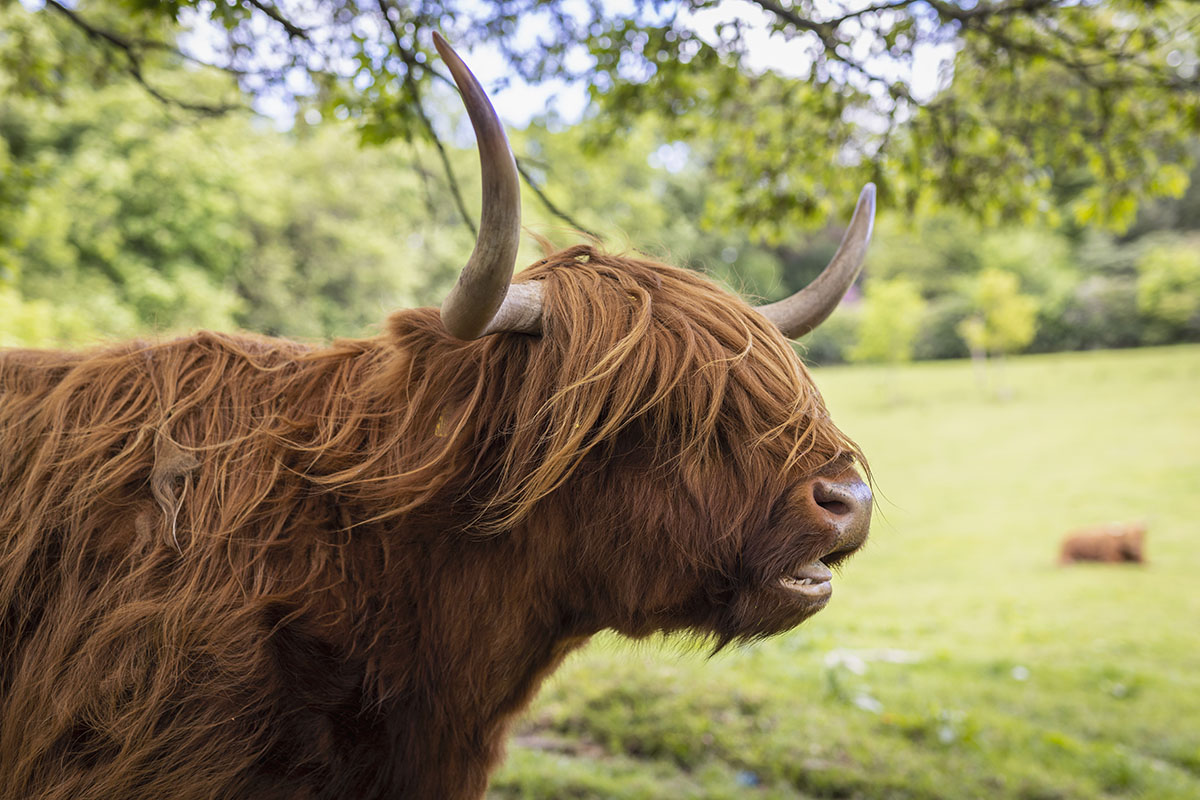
1000 107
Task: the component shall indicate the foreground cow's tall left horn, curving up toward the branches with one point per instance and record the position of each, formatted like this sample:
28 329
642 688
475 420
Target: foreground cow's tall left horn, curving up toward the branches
482 302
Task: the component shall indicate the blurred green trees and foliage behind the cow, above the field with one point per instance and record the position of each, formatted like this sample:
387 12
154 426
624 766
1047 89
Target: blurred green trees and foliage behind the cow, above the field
139 194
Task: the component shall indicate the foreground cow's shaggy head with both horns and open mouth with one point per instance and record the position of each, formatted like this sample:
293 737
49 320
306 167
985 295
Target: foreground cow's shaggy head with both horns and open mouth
665 450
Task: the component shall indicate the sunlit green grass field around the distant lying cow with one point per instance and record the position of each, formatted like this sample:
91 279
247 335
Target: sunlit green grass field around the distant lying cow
957 660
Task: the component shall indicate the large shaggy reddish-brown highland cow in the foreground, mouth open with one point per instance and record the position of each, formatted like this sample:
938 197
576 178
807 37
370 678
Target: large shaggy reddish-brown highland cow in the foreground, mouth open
236 567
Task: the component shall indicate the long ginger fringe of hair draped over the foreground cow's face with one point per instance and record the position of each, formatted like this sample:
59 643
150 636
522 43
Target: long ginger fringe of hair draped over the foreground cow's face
626 341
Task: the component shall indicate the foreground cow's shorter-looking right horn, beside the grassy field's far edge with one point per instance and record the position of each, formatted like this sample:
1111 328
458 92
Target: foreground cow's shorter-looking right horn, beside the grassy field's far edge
807 309
